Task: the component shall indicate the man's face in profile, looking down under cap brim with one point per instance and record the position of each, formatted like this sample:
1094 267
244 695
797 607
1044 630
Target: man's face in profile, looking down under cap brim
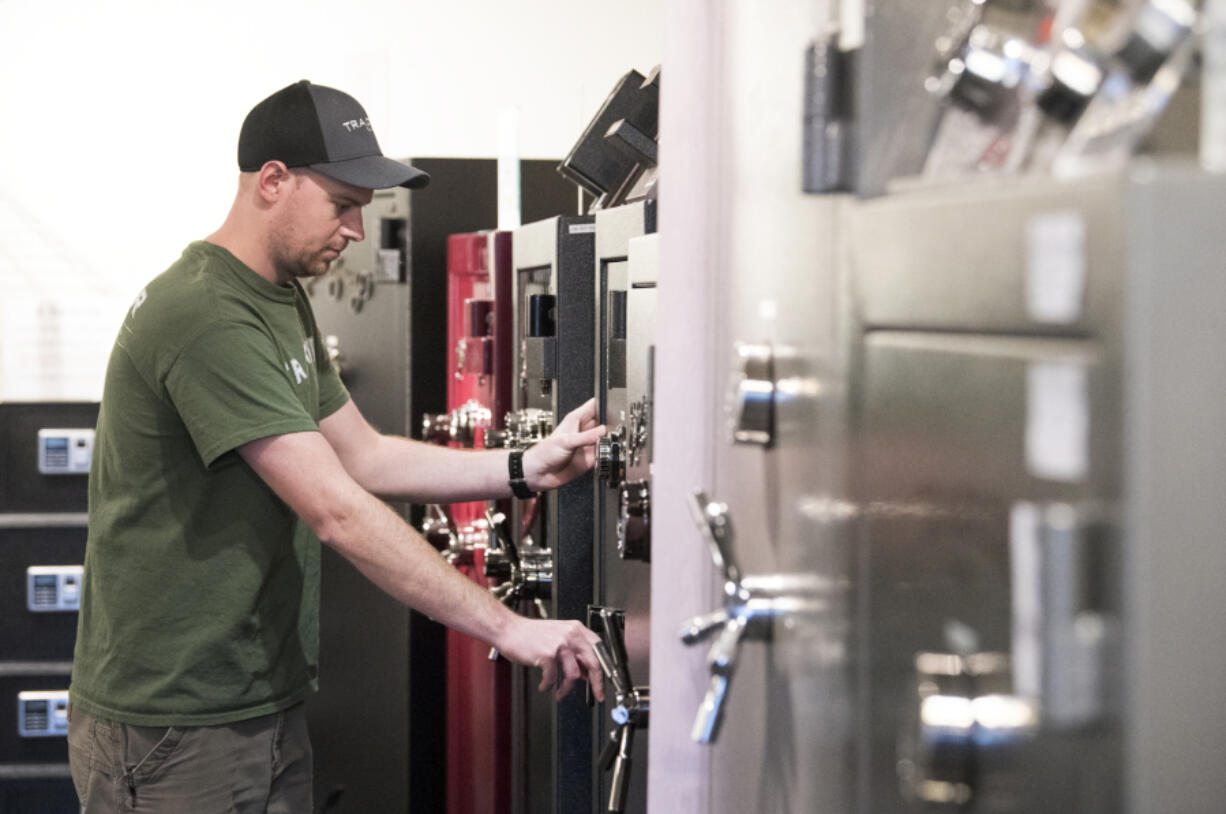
319 218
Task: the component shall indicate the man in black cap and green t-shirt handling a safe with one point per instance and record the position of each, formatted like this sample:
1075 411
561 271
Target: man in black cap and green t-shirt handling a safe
227 449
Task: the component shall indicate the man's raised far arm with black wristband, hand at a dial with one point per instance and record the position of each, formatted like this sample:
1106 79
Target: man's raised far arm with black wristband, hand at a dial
403 469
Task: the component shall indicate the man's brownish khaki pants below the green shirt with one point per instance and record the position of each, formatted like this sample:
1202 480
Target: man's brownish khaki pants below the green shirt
258 766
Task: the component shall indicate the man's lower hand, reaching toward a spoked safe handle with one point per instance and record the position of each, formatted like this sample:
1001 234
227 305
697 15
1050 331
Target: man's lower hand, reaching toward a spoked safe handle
565 650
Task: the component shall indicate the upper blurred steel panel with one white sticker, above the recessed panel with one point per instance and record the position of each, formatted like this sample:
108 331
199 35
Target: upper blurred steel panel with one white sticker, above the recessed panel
999 257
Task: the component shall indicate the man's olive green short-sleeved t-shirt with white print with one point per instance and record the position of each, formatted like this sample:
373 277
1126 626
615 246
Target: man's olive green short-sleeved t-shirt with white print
200 603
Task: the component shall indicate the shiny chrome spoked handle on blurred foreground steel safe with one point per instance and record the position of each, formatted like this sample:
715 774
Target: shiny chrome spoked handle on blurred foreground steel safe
752 605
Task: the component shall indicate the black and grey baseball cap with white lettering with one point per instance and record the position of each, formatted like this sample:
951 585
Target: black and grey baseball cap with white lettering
324 129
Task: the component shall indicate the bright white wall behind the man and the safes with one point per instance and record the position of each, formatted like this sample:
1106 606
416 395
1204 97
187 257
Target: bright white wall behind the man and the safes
121 120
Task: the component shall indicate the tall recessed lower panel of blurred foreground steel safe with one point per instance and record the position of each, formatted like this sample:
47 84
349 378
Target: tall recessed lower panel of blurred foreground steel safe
965 449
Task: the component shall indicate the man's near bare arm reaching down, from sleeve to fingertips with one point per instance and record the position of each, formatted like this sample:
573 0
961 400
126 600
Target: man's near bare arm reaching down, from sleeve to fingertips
306 473
